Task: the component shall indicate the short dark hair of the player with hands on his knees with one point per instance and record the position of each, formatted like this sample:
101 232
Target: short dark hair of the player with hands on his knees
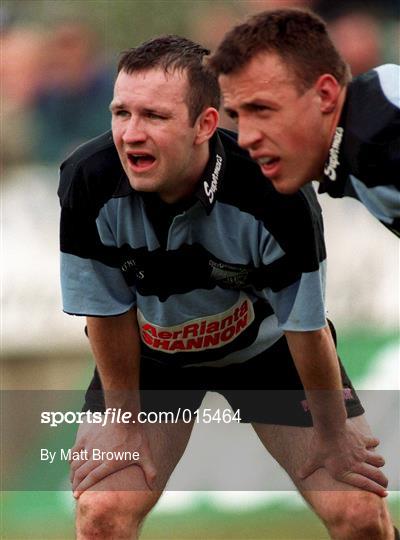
171 53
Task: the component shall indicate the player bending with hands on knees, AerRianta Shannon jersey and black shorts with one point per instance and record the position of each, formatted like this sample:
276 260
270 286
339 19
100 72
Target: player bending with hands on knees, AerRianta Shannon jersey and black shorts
192 277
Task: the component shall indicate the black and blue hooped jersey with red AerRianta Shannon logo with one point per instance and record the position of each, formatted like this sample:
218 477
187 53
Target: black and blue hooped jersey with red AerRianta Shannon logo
216 280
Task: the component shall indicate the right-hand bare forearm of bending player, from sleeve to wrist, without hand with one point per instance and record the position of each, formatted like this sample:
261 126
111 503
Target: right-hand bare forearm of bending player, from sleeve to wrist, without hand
316 361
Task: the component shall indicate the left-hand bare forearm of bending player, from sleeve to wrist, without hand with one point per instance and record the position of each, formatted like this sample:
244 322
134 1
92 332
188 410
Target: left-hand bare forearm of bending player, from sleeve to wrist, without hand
115 344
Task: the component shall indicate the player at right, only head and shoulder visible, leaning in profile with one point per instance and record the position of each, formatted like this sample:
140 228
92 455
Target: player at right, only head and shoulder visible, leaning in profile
302 118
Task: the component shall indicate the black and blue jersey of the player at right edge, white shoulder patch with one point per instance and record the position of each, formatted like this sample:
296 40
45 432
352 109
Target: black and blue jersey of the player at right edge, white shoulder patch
364 158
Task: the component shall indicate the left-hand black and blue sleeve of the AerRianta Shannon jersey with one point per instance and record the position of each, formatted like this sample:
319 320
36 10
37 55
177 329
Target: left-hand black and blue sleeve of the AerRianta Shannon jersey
92 283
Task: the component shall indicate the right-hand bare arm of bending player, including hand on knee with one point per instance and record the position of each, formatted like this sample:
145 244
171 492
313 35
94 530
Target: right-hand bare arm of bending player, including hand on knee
337 445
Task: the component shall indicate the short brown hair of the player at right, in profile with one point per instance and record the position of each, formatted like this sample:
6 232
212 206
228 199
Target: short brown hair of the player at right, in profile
297 36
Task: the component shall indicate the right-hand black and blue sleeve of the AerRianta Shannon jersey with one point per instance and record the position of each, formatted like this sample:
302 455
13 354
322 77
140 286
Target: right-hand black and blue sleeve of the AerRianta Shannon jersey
294 265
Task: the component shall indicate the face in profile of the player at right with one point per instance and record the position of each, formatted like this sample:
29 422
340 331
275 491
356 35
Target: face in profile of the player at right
282 128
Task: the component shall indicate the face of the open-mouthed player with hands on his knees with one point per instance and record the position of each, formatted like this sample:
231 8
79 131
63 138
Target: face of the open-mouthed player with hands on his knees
152 132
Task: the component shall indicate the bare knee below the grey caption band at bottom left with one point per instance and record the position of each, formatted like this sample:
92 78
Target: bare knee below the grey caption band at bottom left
107 514
